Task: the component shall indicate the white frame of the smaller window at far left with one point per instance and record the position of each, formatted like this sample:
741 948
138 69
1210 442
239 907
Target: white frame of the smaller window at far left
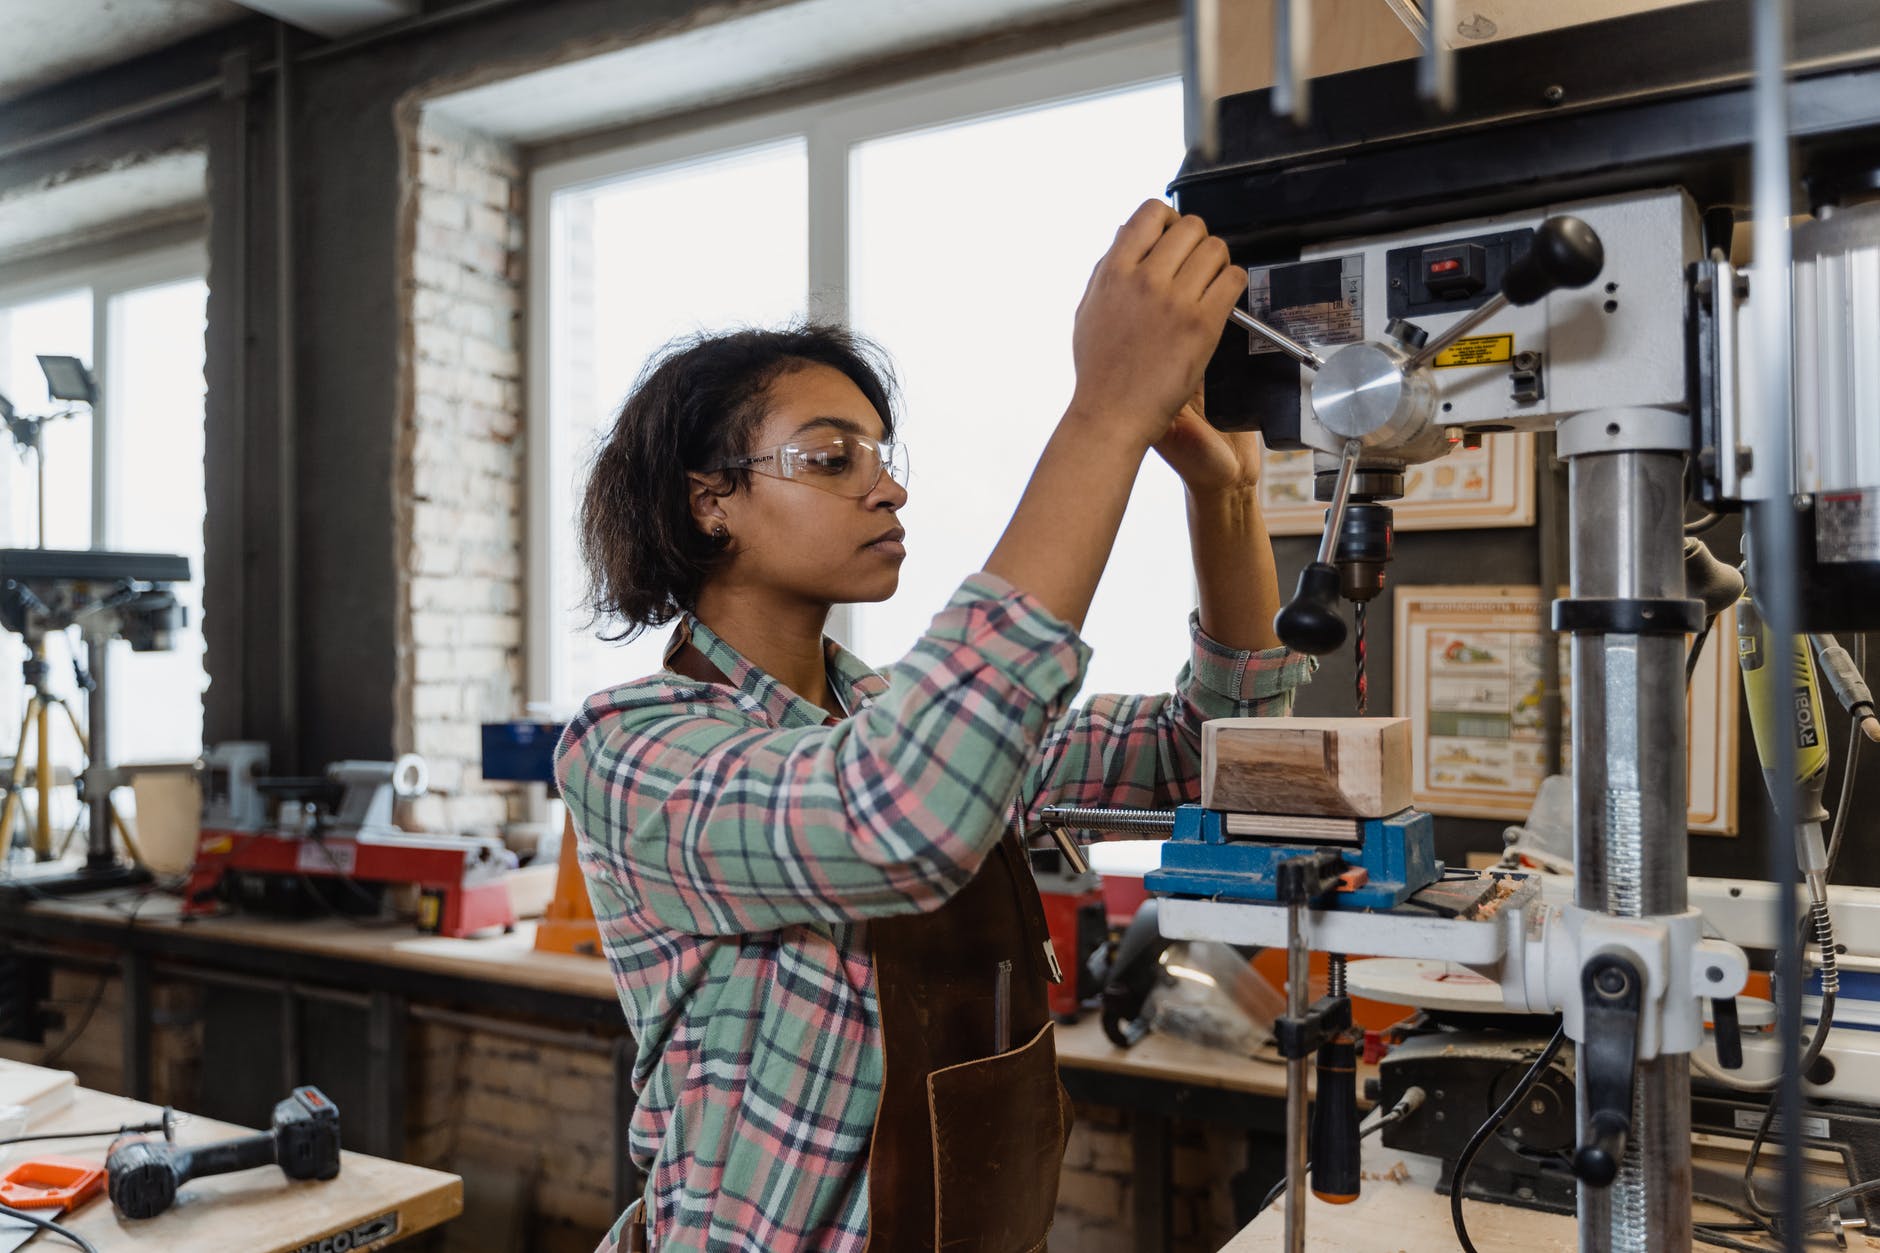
108 279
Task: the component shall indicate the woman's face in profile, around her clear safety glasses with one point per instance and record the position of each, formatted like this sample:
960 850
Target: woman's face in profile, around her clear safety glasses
800 541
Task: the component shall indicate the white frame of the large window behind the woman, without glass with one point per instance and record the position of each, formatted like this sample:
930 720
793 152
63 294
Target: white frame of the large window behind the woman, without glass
830 131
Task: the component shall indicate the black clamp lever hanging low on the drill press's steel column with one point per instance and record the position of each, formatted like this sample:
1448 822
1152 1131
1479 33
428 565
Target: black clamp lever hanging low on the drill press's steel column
1608 1062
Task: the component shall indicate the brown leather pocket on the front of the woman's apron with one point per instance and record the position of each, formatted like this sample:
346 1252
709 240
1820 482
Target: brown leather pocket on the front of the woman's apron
999 1143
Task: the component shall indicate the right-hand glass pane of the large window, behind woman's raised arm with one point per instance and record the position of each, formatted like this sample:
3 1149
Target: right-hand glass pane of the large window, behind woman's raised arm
977 309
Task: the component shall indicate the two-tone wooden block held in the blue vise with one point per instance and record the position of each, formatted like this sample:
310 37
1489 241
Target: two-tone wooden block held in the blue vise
1338 769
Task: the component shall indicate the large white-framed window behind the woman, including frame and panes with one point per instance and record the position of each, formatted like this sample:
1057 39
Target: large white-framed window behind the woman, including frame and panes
956 223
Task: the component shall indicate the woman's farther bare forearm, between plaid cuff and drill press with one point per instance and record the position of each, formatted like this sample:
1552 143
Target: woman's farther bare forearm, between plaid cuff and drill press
1234 567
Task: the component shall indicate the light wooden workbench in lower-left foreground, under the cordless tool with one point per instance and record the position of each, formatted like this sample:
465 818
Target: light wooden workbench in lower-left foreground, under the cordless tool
253 1211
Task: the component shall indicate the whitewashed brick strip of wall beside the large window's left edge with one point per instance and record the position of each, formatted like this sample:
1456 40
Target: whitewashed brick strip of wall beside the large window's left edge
462 468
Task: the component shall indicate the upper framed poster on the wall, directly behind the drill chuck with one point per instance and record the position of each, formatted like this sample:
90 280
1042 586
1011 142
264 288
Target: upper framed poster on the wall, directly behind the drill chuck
1490 486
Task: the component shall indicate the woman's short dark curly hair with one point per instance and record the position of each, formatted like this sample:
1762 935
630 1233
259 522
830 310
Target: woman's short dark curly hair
697 405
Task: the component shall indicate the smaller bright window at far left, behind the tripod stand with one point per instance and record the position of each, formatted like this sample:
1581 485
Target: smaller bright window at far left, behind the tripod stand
127 475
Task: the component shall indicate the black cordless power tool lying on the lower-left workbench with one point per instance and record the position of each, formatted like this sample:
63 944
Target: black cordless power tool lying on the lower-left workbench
305 1143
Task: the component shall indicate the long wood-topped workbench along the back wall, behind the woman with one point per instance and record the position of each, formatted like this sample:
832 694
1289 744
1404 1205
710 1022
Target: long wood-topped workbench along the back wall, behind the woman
388 977
